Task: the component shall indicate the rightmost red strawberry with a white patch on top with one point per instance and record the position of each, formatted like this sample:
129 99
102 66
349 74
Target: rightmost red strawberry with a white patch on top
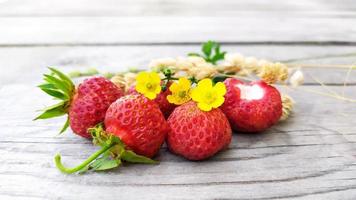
251 107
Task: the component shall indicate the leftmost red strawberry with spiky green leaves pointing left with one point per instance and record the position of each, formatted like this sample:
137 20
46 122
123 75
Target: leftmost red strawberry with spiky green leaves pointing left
85 106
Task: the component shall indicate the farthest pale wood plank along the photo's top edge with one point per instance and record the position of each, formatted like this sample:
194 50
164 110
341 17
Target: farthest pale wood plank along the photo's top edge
177 8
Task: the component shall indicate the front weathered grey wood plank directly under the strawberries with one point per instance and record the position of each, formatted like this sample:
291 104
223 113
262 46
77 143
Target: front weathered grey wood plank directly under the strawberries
310 156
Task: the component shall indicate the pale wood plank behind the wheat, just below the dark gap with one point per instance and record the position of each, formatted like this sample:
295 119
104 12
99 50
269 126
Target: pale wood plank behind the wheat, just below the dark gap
34 61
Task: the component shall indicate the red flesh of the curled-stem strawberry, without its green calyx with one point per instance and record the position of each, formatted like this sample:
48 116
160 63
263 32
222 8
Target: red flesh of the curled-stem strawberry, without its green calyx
138 122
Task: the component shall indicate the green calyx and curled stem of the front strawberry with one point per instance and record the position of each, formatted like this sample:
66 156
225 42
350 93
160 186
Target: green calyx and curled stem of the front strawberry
110 156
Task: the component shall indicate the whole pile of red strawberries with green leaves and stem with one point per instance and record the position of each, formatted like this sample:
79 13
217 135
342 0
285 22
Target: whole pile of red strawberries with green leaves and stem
130 127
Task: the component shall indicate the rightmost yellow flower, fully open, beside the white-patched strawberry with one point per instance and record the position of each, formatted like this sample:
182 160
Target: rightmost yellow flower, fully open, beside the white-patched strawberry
208 96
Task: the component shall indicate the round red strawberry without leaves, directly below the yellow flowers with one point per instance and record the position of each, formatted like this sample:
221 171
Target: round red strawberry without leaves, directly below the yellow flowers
196 134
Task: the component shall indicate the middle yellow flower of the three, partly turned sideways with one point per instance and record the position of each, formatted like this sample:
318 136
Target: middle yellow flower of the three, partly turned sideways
180 92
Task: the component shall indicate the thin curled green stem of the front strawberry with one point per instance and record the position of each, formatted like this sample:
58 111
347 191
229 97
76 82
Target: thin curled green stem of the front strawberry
62 168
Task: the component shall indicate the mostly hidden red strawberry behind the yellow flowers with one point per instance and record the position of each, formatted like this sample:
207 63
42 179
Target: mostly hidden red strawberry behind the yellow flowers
161 99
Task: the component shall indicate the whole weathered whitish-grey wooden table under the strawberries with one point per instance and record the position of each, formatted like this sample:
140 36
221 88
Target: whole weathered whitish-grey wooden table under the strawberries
311 156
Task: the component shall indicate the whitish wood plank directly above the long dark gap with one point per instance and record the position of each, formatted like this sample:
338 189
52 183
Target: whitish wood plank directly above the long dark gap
116 30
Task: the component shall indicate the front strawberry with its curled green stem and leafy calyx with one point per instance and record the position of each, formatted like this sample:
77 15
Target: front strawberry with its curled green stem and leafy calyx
135 131
